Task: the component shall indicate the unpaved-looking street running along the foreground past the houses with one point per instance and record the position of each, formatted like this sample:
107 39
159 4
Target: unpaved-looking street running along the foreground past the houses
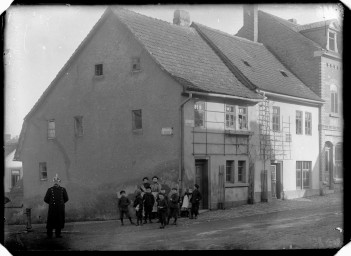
280 224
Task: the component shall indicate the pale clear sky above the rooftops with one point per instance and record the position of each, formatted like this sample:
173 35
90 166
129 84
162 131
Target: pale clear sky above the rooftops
39 40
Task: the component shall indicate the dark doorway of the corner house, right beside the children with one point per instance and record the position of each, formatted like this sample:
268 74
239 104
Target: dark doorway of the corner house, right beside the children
201 178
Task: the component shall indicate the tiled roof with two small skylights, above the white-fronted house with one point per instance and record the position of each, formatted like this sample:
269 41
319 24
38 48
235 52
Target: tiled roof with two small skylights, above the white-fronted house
258 64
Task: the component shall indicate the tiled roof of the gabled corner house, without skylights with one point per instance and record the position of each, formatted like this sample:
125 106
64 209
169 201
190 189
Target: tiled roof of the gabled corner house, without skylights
182 52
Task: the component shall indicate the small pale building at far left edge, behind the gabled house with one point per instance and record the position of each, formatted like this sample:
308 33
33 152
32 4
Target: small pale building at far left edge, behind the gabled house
13 172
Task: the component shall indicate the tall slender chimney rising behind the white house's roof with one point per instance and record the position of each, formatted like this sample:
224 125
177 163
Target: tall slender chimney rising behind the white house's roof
250 21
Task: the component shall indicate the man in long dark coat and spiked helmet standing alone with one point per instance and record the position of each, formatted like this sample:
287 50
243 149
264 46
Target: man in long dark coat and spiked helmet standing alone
56 197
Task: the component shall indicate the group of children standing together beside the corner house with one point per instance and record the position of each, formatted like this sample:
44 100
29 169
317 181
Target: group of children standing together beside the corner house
151 201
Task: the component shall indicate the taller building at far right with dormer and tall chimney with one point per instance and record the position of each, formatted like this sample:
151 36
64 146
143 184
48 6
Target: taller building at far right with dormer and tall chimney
313 53
